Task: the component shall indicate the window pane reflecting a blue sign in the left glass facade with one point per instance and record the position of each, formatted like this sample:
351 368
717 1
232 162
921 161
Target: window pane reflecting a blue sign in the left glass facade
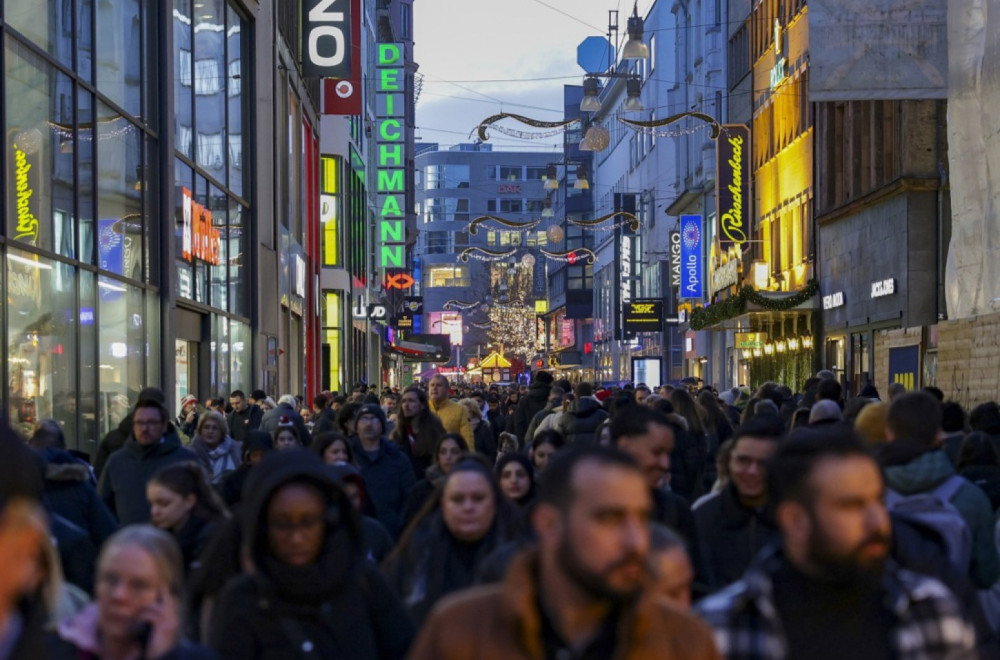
119 193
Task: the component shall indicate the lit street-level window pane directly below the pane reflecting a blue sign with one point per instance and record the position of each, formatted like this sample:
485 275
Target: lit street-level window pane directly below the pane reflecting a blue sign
121 342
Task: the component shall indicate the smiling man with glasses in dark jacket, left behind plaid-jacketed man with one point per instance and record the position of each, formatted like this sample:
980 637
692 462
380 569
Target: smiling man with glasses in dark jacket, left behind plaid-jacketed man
735 523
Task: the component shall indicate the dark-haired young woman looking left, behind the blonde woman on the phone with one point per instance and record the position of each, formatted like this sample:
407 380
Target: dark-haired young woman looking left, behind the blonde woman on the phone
183 503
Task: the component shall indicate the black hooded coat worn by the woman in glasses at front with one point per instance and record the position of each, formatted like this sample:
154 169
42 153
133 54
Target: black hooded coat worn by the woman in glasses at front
337 607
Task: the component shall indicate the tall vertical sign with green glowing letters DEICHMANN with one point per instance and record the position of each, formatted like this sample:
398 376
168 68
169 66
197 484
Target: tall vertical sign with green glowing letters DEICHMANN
390 145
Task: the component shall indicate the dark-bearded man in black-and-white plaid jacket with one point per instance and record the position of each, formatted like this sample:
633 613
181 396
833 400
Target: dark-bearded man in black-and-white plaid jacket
830 589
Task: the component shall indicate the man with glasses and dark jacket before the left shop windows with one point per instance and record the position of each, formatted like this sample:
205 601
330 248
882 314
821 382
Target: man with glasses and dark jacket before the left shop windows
154 443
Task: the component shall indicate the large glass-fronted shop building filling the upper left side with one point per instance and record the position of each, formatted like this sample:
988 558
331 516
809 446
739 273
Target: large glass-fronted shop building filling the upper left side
160 198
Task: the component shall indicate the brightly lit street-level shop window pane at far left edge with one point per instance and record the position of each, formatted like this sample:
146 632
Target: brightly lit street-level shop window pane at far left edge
41 339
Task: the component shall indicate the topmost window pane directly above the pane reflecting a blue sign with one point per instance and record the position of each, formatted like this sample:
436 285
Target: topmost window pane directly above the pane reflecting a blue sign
119 53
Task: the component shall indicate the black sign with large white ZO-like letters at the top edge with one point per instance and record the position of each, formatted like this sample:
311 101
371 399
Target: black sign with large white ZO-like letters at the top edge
326 38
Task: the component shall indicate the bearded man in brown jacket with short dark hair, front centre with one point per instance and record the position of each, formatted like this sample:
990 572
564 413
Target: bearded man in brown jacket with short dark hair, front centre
581 594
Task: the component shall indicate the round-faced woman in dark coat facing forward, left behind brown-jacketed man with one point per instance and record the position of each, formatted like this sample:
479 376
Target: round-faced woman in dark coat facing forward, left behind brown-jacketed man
442 549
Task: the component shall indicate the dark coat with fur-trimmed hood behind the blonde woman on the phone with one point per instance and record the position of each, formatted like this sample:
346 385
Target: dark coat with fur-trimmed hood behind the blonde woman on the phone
70 494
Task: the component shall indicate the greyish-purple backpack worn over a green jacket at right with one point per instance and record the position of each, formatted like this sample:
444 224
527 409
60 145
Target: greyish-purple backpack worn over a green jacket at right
933 510
